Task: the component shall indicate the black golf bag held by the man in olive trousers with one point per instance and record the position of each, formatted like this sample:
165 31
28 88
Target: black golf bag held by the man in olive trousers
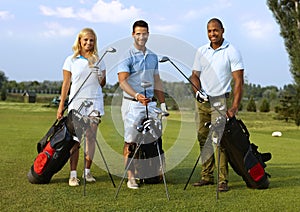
243 156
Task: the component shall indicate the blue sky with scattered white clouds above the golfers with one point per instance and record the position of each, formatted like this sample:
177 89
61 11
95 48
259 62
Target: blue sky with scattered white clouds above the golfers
37 35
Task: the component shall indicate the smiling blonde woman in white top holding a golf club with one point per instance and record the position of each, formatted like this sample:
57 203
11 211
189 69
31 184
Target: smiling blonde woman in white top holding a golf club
76 69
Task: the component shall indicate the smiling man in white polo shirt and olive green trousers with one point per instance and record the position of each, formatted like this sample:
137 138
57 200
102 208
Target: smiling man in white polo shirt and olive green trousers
215 65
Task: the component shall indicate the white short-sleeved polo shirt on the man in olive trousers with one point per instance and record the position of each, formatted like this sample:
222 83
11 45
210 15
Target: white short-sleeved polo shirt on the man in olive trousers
216 67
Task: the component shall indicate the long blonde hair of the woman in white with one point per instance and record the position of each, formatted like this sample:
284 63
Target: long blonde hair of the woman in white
93 57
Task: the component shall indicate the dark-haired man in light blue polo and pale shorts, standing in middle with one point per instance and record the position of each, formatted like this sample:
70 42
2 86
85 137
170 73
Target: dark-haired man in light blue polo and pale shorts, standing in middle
138 65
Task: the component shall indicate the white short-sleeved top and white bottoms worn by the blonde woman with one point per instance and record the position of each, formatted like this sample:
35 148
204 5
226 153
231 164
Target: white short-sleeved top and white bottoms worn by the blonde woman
91 90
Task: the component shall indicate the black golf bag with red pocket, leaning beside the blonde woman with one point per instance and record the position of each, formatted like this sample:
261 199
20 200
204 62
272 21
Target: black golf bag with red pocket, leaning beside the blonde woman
54 148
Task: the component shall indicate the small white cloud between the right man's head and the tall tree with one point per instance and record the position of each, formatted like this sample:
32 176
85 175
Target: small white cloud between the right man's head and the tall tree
257 29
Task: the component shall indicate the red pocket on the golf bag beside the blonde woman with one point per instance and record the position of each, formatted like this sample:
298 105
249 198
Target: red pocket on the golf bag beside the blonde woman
43 158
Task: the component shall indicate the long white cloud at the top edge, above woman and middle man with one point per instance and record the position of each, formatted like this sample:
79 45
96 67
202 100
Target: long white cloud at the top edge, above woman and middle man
112 12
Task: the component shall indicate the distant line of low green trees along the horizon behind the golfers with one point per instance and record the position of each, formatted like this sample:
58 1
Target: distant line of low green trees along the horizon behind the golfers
256 98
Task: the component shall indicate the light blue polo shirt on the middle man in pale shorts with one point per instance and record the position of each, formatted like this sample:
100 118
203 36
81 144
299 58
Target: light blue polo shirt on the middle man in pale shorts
141 68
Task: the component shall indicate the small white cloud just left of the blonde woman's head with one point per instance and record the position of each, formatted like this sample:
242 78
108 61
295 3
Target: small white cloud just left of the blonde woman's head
57 30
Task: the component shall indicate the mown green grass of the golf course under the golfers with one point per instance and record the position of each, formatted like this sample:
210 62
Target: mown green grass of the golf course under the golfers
23 125
